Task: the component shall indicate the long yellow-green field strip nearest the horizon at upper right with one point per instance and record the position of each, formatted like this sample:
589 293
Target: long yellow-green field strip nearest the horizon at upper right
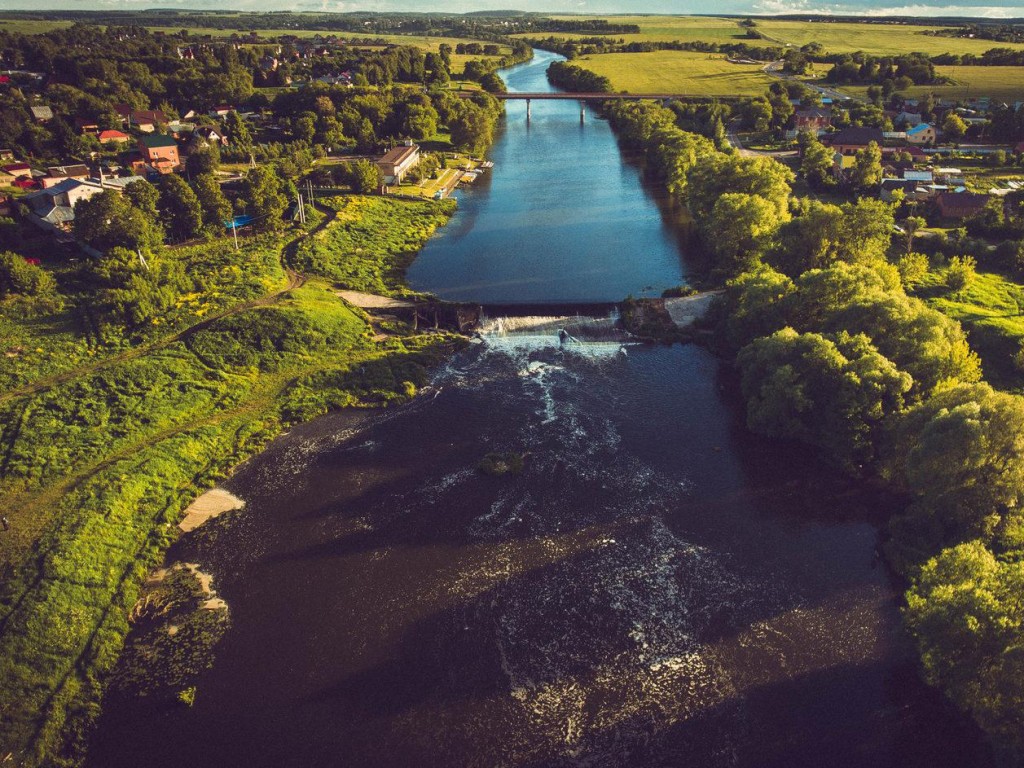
836 37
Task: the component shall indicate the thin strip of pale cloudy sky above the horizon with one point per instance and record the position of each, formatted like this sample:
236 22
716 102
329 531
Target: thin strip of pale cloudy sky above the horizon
985 9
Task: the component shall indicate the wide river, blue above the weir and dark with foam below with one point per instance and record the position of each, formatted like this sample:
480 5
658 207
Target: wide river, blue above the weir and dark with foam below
657 588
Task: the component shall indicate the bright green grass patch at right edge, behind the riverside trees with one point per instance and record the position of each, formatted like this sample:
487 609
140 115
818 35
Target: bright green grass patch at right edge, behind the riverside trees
992 311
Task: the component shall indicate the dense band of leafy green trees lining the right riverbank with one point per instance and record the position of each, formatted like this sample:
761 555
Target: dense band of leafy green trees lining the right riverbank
832 351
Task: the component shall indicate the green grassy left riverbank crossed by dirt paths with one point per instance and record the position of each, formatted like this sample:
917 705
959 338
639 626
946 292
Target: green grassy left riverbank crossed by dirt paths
103 447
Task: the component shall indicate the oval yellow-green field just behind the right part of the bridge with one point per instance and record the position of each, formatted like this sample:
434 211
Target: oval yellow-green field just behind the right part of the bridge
678 72
